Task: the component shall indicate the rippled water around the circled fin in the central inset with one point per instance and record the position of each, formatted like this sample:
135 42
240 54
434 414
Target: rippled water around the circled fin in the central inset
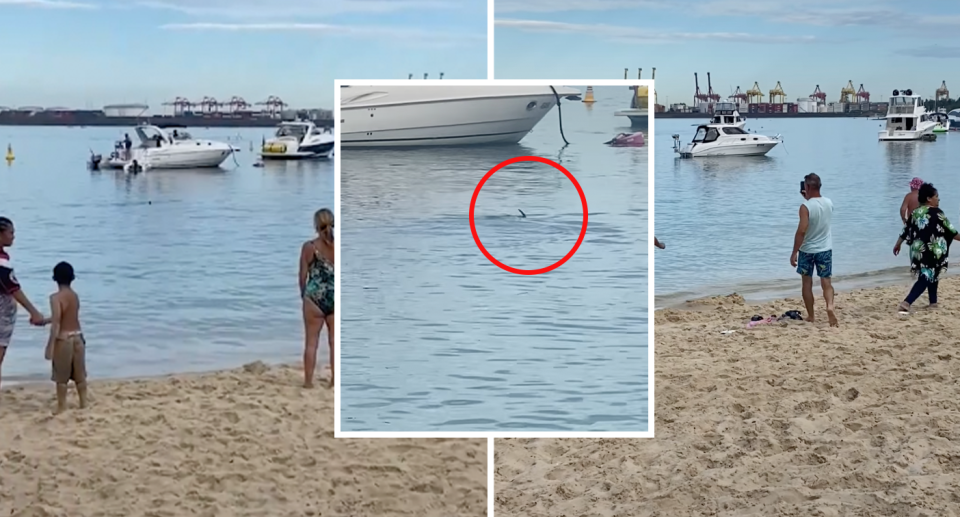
435 337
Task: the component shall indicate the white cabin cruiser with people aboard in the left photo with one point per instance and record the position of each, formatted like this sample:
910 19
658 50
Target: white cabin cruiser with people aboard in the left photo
160 149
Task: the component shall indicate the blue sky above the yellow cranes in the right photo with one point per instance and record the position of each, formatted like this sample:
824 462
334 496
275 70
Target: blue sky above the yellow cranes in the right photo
879 43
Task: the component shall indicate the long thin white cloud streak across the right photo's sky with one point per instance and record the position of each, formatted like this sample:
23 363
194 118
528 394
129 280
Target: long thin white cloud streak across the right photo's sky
633 34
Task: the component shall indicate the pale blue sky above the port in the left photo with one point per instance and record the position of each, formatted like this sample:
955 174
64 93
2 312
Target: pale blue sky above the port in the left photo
86 53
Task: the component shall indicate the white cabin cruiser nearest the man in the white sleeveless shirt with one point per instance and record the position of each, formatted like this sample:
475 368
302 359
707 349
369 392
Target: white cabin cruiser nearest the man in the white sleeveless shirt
725 140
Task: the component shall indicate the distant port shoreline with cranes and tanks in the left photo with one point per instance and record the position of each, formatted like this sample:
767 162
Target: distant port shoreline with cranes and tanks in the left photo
208 112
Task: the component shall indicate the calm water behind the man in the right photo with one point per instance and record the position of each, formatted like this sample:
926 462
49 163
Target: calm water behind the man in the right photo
729 223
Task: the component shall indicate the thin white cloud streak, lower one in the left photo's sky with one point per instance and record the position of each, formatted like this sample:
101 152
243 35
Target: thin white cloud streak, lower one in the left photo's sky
400 34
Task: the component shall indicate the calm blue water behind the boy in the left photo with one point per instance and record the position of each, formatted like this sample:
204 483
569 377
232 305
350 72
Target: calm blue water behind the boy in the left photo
177 270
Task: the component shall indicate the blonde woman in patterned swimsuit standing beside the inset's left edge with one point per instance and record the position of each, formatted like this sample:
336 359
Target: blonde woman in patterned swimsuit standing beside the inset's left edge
316 288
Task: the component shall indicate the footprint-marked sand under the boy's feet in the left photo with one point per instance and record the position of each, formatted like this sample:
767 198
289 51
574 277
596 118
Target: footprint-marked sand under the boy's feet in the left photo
249 441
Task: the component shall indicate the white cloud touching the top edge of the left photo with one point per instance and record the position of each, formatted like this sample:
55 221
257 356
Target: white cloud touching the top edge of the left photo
294 8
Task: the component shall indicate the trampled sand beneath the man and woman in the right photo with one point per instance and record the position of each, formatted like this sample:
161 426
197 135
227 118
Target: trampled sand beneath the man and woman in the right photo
792 420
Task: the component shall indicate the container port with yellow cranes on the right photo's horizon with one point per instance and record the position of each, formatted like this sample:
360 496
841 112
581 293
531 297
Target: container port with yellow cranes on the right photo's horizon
852 102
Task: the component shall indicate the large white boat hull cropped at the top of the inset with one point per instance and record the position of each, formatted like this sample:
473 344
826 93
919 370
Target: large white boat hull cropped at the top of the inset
402 116
